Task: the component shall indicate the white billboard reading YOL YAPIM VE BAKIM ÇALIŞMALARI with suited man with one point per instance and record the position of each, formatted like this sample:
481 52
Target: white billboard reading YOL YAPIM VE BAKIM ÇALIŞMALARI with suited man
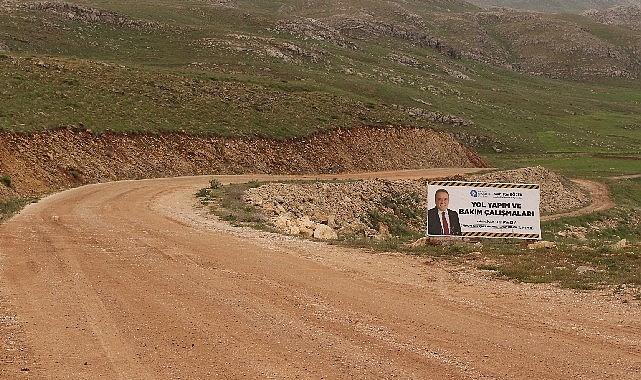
480 209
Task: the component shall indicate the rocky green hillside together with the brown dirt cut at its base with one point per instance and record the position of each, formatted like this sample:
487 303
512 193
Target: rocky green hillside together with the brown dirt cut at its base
102 91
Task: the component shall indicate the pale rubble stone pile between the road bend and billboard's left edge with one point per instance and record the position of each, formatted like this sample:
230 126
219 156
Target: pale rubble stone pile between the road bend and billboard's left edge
332 209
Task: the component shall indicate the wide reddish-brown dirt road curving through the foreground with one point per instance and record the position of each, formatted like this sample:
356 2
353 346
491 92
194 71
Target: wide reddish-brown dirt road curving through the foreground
126 281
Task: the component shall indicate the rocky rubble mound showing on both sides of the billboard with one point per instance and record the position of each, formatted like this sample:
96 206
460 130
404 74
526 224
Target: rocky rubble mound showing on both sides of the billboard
348 207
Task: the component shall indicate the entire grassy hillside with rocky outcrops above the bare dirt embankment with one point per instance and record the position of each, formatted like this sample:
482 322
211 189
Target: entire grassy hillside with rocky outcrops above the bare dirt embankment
529 86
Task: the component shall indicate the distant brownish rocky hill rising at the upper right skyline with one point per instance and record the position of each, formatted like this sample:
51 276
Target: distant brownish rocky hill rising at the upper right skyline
528 42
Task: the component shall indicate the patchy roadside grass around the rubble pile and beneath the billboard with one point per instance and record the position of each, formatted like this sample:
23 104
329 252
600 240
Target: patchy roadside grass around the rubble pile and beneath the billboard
587 260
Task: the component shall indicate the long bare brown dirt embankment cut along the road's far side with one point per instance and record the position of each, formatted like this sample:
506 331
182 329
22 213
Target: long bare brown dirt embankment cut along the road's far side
40 163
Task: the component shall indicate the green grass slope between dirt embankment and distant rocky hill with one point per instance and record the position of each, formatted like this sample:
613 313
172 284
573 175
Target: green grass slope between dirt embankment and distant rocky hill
131 78
